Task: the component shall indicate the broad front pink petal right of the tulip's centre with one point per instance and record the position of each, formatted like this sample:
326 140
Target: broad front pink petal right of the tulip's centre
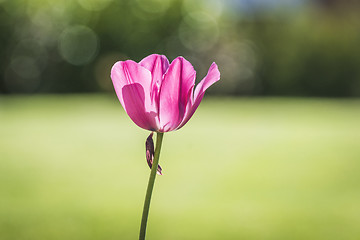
177 82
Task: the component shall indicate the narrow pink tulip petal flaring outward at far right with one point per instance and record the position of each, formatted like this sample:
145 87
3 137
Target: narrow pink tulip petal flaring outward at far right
212 76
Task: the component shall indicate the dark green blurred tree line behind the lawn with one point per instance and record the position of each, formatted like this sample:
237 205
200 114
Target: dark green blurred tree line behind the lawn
298 48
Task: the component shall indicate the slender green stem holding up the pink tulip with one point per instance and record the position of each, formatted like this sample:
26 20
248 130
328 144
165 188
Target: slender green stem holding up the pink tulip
150 187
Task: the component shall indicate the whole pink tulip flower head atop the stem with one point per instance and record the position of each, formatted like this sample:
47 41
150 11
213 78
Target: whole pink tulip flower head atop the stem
159 96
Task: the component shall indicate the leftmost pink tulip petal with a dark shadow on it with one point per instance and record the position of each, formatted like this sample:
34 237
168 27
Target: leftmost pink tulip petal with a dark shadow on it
132 85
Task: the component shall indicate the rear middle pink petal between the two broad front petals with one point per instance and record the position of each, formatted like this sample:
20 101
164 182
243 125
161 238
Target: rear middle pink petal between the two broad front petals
157 65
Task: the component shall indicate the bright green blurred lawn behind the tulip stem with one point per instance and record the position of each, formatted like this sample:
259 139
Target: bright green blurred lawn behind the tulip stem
73 167
